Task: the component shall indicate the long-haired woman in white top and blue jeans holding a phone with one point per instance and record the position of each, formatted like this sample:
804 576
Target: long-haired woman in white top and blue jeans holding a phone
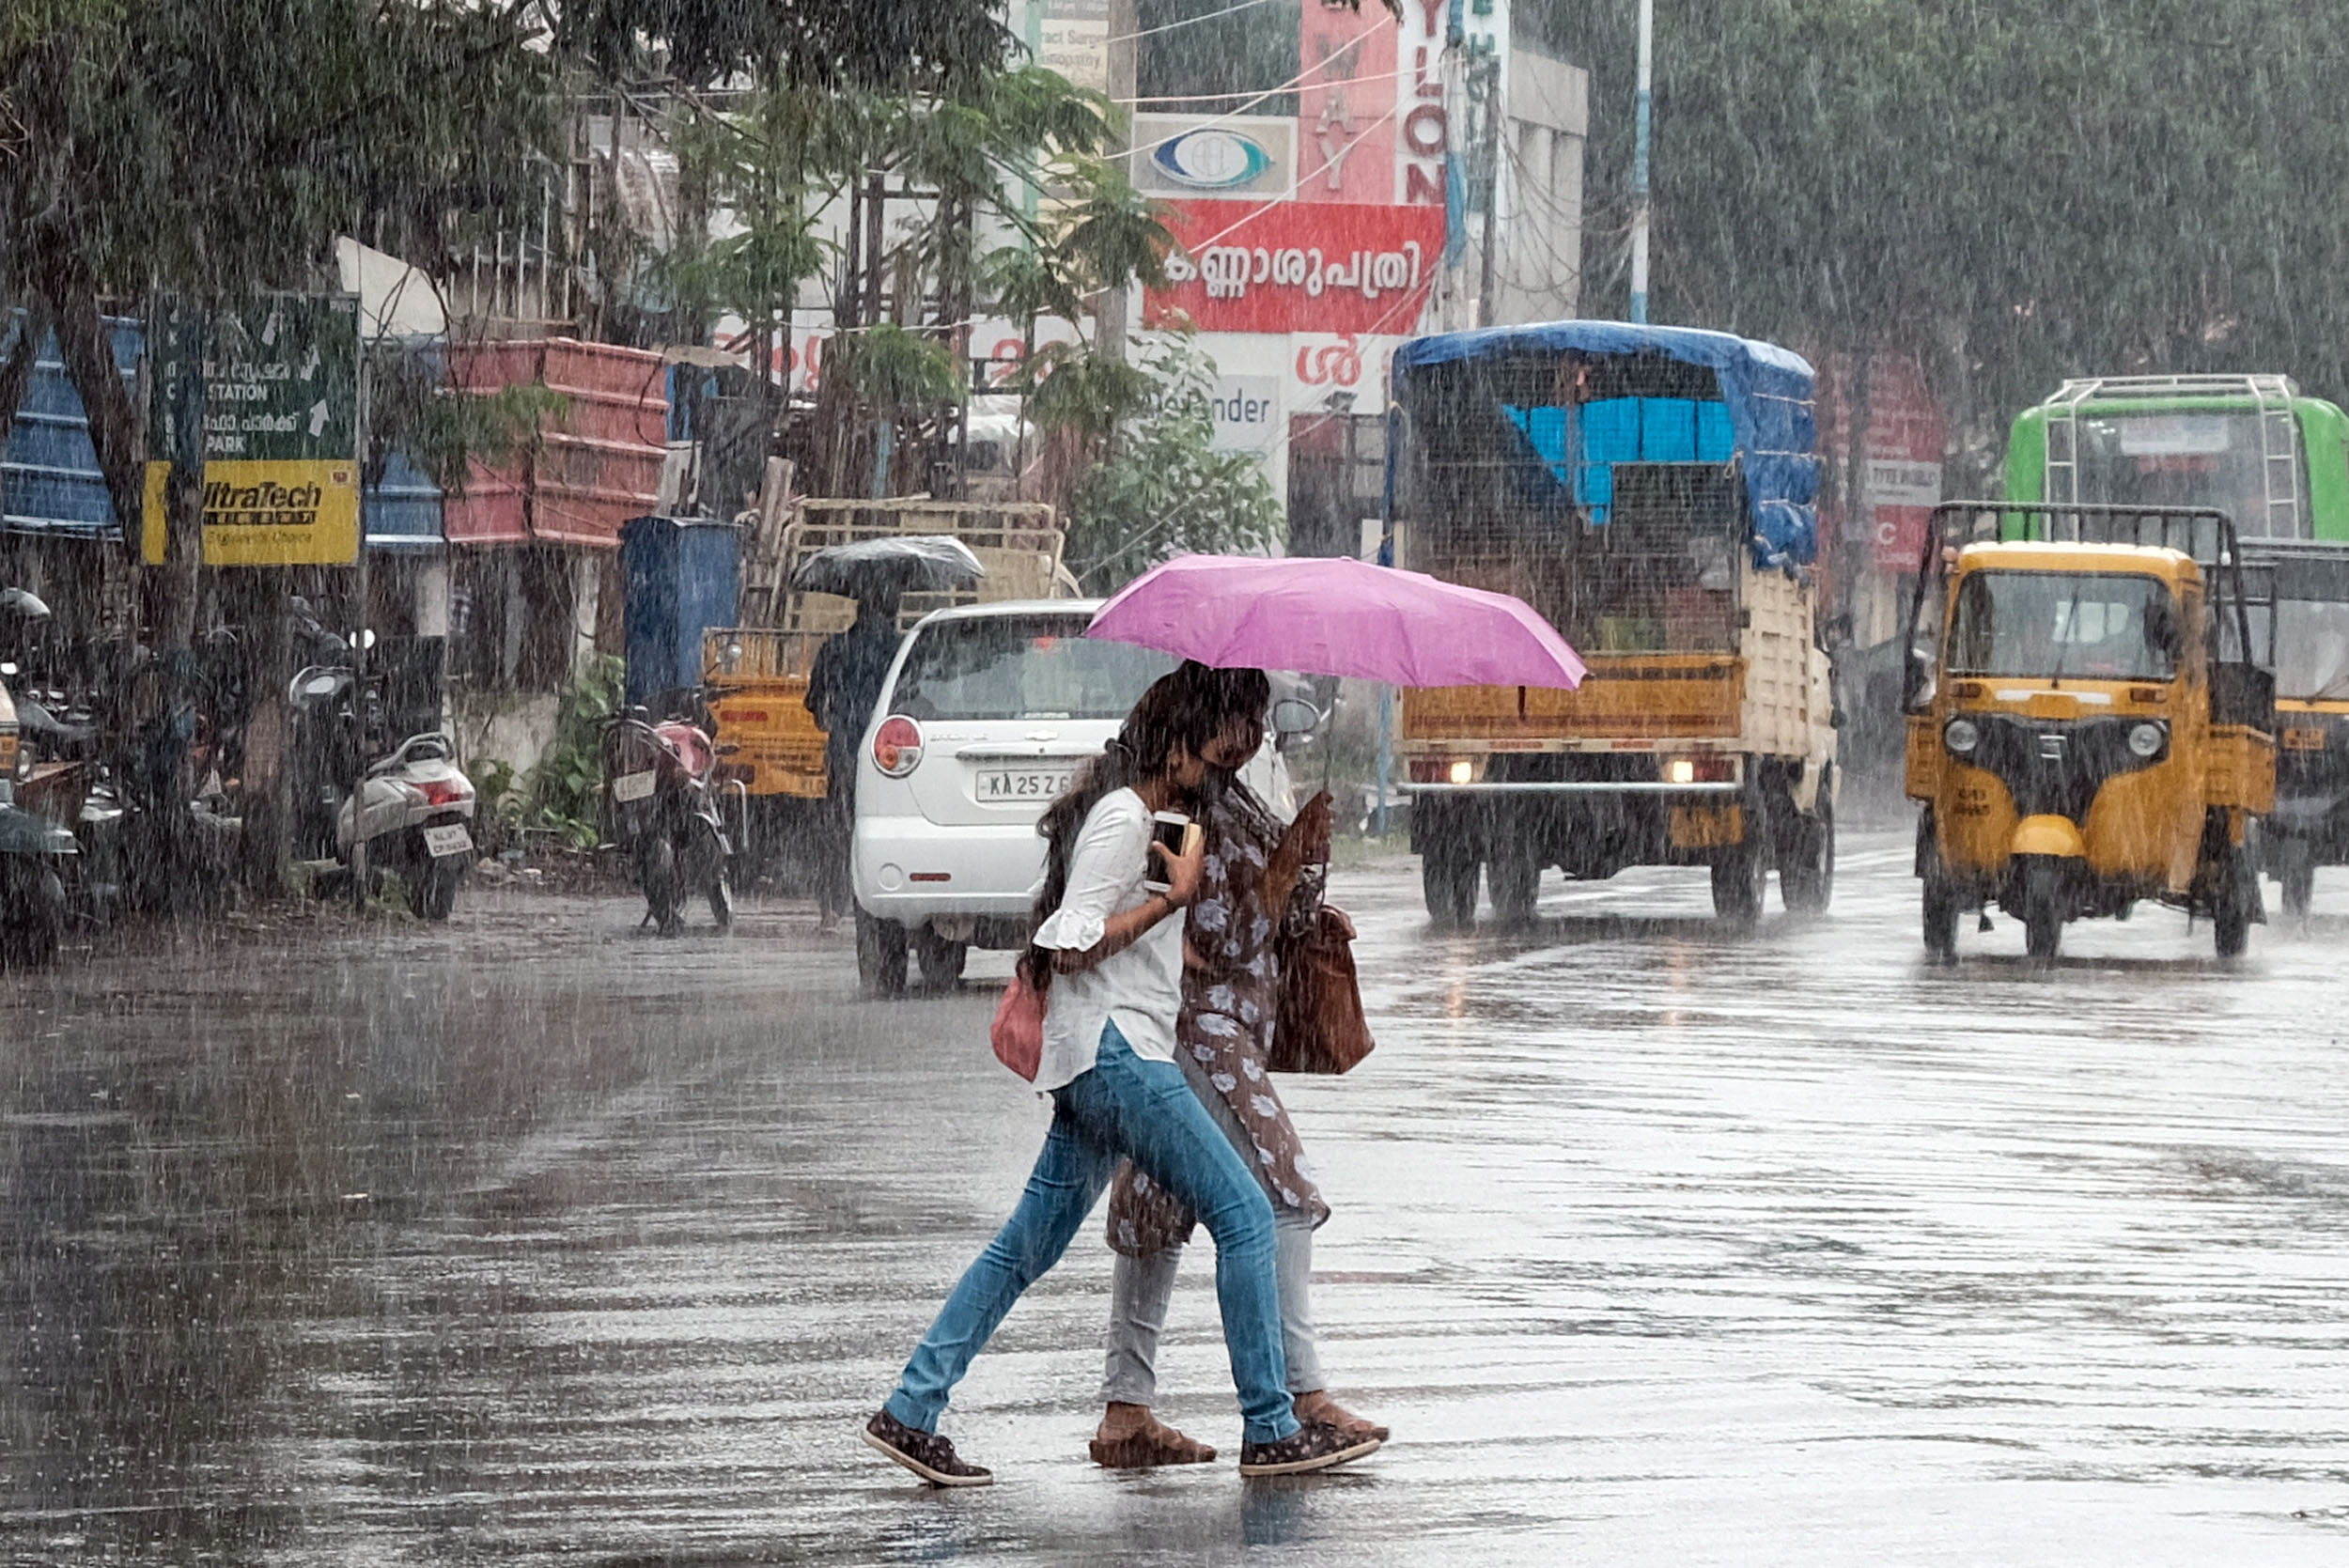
1110 954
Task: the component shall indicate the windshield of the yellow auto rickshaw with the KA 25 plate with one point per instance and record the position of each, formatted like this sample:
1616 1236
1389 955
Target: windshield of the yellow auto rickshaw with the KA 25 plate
2052 626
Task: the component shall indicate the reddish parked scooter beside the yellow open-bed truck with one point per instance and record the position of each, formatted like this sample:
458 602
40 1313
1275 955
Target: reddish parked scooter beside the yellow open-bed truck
661 811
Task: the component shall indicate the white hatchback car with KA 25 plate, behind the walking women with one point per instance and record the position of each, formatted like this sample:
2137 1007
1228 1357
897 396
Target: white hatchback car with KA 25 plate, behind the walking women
988 715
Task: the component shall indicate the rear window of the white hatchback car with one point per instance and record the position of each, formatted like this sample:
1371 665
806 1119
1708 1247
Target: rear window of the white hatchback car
1021 668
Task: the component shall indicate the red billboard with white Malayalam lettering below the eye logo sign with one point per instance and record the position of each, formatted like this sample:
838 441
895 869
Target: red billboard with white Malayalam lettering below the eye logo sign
1300 266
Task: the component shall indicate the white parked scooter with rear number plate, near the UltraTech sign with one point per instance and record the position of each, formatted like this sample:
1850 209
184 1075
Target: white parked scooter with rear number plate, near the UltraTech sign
412 806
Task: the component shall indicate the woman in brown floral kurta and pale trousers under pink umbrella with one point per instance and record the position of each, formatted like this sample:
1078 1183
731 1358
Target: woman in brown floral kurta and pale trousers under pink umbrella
1256 891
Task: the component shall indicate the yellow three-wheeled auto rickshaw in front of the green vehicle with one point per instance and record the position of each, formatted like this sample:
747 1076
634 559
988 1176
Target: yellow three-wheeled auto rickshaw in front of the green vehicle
2089 719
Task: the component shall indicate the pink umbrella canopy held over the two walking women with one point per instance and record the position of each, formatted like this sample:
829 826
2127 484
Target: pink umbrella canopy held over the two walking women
1338 619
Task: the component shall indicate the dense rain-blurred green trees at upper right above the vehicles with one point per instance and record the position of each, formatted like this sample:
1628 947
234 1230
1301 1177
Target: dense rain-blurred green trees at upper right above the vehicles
2019 191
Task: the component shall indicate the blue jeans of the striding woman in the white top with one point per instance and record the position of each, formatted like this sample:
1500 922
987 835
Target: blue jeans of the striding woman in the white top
1145 1111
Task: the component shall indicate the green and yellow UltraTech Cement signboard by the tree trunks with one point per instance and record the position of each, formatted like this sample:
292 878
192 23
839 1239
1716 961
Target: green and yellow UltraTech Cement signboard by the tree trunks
281 428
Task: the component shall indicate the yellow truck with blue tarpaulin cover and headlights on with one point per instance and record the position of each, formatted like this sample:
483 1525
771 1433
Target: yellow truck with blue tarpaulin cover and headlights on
1653 494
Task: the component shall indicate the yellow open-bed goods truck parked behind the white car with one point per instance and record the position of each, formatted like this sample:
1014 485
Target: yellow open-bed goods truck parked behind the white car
758 675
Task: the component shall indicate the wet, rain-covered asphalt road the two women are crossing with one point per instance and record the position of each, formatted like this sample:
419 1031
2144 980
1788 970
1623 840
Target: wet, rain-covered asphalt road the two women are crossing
544 1241
